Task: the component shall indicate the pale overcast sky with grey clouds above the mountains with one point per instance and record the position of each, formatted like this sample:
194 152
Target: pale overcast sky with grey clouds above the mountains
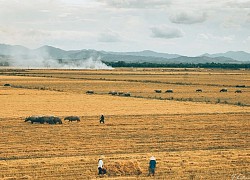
186 27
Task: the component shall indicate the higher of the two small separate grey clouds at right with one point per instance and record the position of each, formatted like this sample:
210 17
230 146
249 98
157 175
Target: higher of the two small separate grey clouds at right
188 17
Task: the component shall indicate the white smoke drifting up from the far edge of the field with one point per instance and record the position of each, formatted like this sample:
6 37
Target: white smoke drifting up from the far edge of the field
41 59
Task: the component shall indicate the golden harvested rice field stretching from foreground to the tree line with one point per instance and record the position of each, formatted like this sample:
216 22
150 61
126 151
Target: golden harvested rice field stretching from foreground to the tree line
193 135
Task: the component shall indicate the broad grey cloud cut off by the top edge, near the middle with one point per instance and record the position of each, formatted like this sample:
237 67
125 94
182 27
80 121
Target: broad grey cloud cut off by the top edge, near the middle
137 3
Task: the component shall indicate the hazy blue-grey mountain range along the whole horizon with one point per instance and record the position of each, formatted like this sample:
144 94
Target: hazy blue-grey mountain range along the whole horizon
11 52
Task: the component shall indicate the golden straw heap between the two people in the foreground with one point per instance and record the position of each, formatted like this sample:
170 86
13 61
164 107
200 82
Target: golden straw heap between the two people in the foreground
122 168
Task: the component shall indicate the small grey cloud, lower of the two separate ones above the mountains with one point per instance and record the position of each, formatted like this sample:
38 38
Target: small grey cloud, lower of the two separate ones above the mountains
166 32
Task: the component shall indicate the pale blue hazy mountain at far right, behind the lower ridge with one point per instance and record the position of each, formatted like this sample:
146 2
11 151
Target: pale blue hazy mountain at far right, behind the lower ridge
237 55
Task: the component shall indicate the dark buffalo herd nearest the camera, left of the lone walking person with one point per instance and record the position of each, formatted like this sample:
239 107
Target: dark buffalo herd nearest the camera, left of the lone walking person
50 119
